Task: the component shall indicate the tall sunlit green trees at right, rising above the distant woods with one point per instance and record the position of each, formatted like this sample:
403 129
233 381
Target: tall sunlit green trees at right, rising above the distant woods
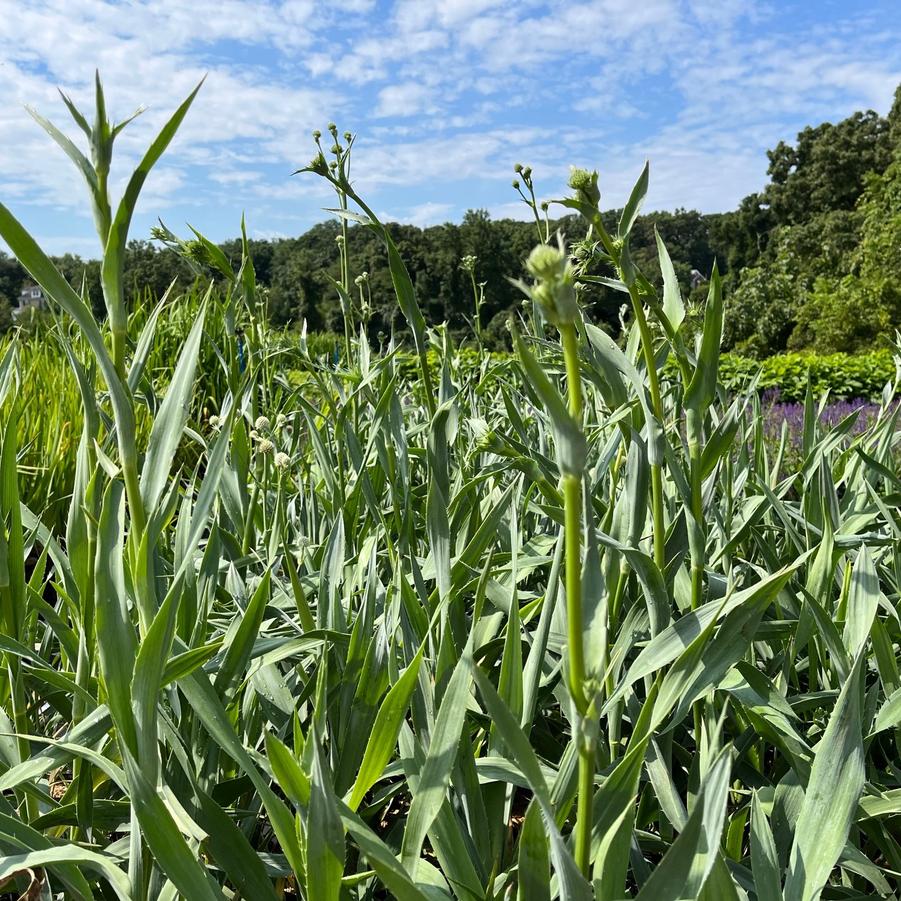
827 231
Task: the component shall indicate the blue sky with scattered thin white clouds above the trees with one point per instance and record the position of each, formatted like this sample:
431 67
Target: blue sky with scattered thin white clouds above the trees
444 95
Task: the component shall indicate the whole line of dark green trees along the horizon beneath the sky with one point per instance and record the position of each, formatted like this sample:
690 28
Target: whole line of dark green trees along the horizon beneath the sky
810 262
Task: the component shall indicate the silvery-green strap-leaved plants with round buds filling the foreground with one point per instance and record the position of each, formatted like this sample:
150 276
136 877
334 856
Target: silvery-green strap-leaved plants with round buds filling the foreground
561 625
